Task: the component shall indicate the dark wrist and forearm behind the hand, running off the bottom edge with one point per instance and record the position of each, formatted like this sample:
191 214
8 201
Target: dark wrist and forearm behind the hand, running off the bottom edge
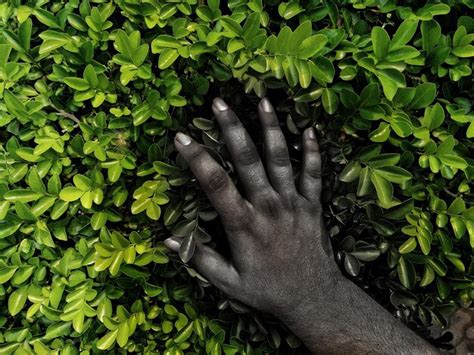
342 318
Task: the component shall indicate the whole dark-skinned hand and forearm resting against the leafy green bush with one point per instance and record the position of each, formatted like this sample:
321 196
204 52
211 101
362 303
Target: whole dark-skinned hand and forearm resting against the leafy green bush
281 258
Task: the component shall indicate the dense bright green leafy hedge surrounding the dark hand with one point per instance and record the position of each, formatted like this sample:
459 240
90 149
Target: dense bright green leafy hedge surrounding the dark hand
91 95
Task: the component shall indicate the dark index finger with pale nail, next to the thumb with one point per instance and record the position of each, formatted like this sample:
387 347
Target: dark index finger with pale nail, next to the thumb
219 188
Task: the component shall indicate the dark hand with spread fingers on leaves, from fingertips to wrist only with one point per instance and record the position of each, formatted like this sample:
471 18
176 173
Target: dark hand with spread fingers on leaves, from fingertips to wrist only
280 249
